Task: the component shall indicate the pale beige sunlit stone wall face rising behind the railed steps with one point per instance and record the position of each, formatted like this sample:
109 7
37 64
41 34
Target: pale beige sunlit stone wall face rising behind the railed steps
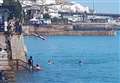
18 47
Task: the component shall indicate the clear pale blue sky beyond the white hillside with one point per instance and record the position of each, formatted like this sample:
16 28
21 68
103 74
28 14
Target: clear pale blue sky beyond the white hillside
101 6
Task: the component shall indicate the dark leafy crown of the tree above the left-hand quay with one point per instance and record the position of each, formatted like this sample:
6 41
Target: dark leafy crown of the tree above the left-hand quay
14 7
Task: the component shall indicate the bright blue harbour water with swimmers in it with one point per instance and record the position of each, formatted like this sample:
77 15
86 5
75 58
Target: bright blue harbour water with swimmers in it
99 55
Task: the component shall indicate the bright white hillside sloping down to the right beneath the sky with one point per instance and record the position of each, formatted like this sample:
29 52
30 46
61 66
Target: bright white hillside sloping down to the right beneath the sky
53 5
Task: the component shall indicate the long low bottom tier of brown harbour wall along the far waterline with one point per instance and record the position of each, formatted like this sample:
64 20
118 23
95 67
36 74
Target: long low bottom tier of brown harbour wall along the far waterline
75 33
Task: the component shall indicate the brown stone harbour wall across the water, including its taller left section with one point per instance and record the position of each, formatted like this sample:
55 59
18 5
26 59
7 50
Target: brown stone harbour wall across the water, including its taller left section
65 30
